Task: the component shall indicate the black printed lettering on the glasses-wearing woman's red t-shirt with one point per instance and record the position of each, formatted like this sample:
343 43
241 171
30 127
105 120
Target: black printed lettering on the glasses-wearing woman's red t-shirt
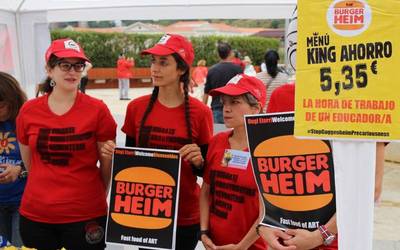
56 146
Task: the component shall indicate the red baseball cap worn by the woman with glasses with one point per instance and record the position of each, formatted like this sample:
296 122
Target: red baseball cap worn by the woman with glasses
65 48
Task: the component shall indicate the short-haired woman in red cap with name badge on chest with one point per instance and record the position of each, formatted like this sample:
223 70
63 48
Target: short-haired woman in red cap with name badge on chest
225 223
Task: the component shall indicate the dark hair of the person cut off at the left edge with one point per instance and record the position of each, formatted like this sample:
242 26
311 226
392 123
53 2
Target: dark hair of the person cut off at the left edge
12 94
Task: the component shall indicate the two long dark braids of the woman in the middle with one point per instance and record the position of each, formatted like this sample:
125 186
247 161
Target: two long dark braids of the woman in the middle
185 78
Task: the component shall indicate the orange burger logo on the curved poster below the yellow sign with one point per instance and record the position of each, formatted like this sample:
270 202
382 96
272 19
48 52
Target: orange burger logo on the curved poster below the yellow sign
297 178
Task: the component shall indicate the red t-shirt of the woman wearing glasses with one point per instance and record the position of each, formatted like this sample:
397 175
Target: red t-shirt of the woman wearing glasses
64 183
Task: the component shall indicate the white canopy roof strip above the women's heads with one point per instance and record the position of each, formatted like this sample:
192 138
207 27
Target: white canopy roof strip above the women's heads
61 10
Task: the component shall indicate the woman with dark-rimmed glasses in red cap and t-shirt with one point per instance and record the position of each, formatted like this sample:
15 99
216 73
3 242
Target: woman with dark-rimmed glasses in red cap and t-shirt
60 135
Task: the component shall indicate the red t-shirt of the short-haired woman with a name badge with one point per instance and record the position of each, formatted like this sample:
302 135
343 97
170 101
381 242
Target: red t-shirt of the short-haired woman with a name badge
234 203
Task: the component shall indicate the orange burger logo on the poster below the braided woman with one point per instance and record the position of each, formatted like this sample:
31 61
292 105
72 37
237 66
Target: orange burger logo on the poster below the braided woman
143 198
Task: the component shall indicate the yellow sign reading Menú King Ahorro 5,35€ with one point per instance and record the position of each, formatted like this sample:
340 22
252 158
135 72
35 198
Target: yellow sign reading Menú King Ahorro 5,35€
348 55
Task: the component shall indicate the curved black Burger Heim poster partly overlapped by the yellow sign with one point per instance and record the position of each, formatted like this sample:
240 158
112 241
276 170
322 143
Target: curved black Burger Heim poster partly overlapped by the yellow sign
295 177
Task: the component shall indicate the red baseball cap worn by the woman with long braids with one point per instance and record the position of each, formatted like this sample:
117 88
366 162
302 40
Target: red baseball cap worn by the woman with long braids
172 43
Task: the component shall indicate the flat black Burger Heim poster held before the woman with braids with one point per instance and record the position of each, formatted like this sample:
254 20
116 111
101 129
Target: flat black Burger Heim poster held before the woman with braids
144 198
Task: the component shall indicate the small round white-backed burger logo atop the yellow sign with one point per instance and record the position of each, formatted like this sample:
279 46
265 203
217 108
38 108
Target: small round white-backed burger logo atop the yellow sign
349 18
